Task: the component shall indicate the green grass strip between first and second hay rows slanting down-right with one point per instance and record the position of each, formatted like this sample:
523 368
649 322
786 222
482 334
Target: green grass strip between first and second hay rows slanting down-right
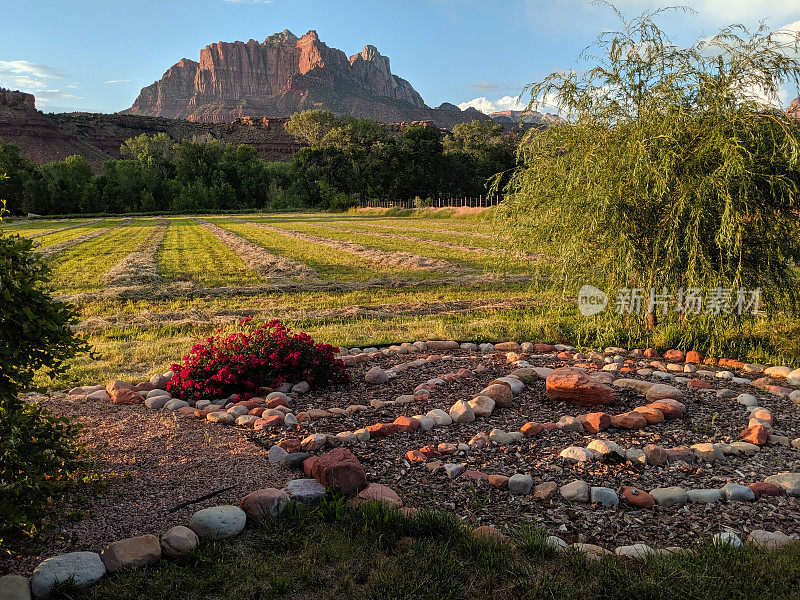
331 263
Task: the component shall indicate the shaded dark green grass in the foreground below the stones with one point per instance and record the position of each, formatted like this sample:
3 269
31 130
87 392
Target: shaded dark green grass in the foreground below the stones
371 552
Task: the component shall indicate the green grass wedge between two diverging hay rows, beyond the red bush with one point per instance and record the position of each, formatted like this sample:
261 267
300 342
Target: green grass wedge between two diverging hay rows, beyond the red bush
192 253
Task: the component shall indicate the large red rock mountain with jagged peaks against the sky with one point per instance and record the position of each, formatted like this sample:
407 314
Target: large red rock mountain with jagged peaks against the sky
285 74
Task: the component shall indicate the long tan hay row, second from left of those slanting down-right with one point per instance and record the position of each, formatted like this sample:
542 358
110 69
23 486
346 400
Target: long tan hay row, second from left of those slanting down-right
405 260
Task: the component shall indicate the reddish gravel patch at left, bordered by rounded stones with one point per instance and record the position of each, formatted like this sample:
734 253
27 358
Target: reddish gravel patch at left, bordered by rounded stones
155 462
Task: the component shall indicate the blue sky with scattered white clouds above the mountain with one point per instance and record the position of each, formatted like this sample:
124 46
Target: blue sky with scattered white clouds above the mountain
95 55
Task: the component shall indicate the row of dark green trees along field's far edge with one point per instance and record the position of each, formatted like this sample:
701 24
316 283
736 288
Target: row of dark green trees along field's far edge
346 161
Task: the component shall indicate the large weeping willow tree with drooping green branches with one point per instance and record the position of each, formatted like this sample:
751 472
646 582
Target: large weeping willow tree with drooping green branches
673 168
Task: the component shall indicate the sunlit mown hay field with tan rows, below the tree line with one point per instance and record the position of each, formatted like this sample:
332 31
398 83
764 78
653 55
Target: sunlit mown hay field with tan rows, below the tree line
353 279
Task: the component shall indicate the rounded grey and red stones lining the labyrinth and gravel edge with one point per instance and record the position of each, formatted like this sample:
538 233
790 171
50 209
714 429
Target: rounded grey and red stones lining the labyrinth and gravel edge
340 469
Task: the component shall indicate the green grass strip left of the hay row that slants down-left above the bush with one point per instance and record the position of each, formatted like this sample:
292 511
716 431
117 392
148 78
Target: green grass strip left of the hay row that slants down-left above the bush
83 267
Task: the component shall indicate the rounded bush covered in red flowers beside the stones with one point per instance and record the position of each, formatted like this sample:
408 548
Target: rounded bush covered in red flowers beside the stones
245 361
